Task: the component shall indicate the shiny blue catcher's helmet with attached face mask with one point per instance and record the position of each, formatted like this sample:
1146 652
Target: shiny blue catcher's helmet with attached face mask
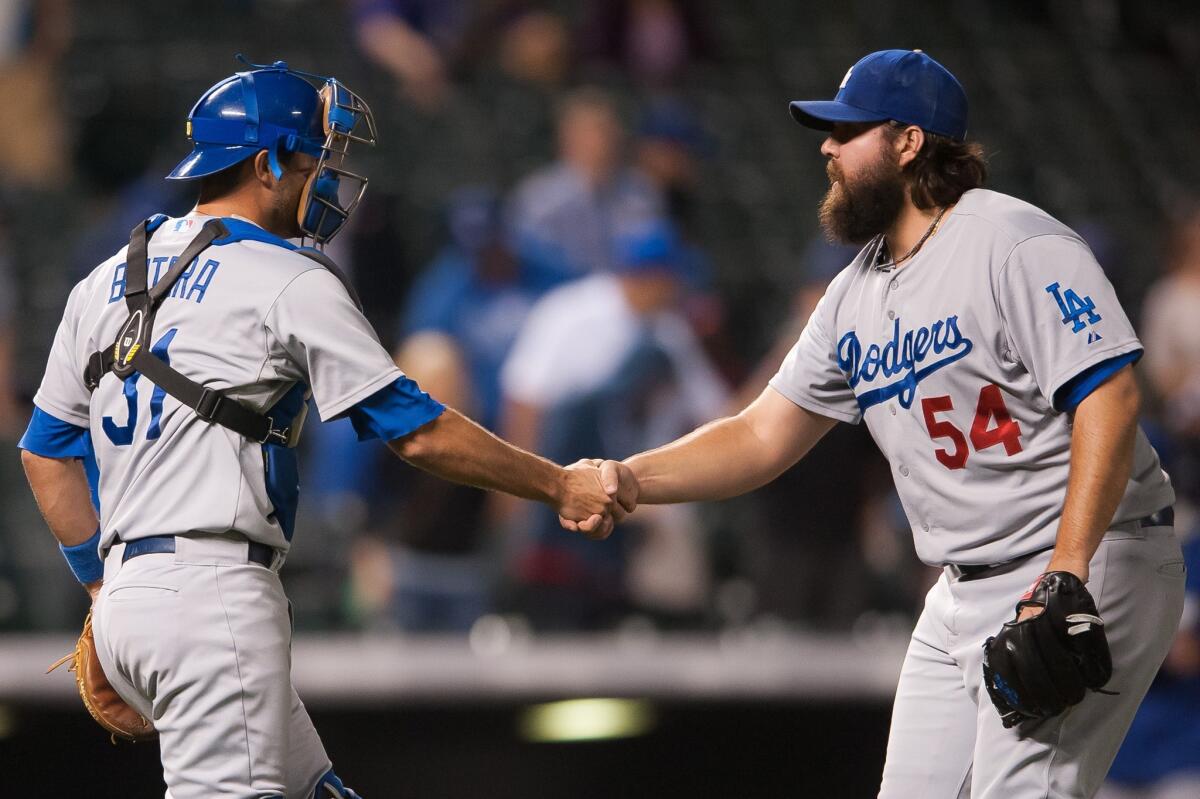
279 110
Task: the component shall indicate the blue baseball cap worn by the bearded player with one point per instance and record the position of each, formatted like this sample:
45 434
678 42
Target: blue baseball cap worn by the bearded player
905 86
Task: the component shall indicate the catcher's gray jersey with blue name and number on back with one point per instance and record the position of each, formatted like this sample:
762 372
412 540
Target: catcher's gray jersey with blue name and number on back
251 319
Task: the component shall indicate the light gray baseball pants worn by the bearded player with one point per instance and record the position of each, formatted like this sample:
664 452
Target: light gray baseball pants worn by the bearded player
947 741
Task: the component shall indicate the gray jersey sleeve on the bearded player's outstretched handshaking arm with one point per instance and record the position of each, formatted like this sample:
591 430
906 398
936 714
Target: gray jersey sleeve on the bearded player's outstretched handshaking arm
811 376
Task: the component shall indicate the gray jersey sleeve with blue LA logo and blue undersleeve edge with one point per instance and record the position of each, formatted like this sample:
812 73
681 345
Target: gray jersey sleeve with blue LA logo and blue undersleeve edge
1063 319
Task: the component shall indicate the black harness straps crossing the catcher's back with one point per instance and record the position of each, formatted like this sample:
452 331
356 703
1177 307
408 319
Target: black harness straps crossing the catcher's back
131 351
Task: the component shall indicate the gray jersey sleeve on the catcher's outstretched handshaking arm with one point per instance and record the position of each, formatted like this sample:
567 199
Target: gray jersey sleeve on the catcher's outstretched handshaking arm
333 346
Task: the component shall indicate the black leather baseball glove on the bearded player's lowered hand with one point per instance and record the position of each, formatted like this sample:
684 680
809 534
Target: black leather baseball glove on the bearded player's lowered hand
1040 668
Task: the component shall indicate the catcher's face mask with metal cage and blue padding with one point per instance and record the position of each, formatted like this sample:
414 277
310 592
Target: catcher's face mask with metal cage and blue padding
333 193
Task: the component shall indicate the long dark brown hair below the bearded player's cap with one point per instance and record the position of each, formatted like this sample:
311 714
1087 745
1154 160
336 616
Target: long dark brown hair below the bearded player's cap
944 170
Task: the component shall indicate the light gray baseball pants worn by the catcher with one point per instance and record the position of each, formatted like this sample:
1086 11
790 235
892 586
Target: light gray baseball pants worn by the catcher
200 641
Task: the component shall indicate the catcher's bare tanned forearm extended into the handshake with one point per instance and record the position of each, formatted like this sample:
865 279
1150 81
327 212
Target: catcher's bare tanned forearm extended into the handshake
454 448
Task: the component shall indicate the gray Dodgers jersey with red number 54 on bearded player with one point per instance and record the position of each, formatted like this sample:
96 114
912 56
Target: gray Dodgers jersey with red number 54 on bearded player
964 363
